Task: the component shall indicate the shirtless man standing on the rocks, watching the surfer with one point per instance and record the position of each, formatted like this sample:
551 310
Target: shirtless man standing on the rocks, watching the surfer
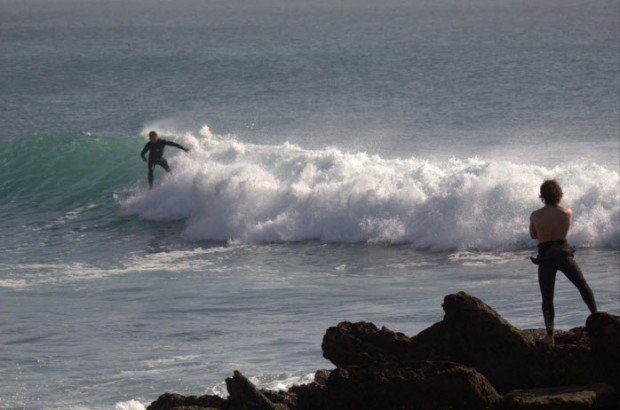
550 225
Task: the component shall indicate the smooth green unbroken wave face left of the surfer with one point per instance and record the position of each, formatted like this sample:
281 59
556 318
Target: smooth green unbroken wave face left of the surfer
54 172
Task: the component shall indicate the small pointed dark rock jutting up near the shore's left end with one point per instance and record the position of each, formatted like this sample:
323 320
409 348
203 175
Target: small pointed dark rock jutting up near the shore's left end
243 395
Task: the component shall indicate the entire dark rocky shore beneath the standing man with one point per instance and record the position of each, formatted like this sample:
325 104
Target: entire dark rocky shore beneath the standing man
472 359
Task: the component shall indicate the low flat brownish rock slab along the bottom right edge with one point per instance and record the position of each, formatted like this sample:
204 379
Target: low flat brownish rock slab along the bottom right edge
597 396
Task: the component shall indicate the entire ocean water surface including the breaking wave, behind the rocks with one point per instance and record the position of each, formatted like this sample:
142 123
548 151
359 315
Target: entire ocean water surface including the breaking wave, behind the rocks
349 160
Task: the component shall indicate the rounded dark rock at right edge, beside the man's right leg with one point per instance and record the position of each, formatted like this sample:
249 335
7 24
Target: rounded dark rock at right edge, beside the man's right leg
604 331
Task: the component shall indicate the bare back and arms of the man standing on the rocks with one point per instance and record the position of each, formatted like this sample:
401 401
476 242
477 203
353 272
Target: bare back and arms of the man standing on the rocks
550 223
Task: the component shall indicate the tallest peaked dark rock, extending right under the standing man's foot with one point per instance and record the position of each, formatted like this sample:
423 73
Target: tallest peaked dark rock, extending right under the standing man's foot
473 334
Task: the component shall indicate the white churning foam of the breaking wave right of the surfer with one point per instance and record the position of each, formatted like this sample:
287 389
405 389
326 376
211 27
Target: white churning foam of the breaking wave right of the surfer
229 190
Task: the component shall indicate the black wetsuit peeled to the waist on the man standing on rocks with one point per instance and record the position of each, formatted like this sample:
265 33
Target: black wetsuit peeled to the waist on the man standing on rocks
554 256
